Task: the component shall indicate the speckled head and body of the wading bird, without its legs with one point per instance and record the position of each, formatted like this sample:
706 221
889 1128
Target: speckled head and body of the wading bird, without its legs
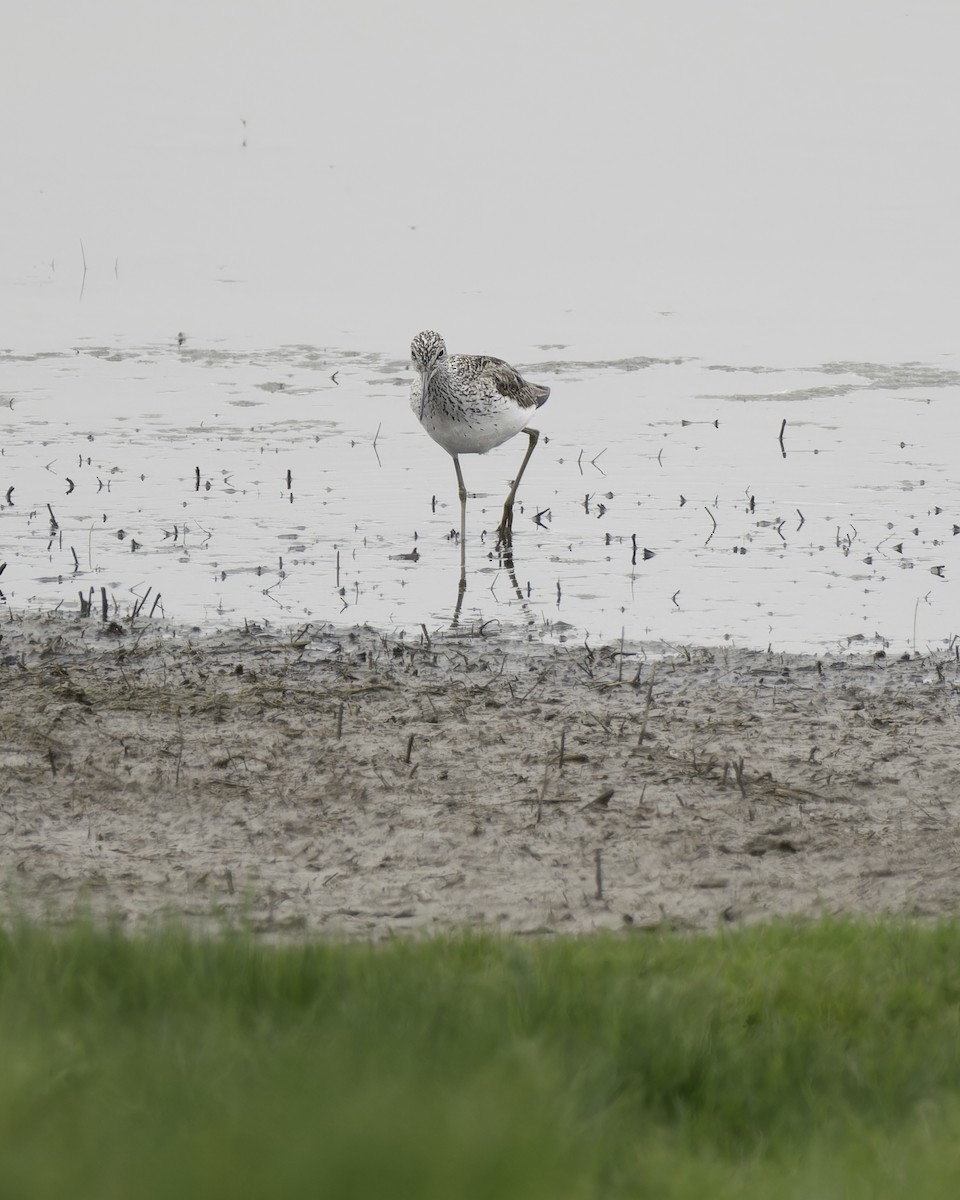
469 403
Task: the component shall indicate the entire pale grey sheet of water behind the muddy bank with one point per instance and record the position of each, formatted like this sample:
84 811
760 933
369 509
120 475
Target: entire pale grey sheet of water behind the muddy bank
692 230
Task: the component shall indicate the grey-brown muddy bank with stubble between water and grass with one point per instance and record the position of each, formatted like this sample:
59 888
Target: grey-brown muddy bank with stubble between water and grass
352 784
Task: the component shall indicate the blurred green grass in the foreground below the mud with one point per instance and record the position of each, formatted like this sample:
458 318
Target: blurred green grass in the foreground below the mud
781 1061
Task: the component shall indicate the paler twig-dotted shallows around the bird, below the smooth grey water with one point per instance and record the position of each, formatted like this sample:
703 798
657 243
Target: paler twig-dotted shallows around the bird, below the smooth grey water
671 500
